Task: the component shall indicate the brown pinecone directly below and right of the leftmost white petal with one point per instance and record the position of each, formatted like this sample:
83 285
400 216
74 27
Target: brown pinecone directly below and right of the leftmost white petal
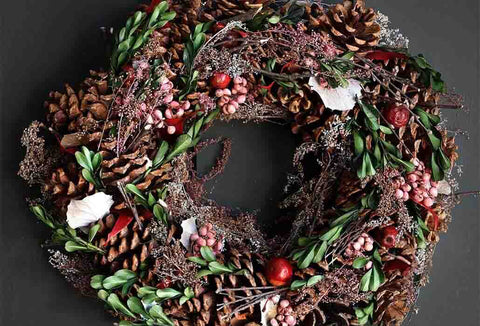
127 249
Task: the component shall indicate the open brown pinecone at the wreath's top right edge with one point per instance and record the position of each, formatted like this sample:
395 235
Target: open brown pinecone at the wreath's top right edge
352 25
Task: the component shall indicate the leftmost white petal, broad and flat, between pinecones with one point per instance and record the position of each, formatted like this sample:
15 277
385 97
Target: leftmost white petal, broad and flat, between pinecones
90 209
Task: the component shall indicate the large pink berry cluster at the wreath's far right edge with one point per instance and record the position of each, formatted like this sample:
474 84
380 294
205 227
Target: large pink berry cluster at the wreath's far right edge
418 186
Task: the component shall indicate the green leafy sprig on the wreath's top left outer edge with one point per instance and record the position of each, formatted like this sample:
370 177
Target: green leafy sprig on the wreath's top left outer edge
137 31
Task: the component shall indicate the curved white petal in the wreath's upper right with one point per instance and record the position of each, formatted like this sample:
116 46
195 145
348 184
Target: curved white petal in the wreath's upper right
340 98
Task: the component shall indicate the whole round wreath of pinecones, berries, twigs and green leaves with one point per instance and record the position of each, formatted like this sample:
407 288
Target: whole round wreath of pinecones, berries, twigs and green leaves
371 189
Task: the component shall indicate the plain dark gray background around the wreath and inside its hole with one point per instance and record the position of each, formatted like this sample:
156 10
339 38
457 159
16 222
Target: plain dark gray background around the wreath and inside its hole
46 43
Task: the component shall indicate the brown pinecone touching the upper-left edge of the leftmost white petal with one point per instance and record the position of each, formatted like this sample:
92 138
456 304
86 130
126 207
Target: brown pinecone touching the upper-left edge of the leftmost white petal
66 183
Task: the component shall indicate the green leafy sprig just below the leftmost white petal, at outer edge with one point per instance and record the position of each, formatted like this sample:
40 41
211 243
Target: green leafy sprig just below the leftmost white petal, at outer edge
65 235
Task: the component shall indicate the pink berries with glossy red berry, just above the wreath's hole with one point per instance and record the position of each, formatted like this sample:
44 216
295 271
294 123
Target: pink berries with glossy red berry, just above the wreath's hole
229 99
